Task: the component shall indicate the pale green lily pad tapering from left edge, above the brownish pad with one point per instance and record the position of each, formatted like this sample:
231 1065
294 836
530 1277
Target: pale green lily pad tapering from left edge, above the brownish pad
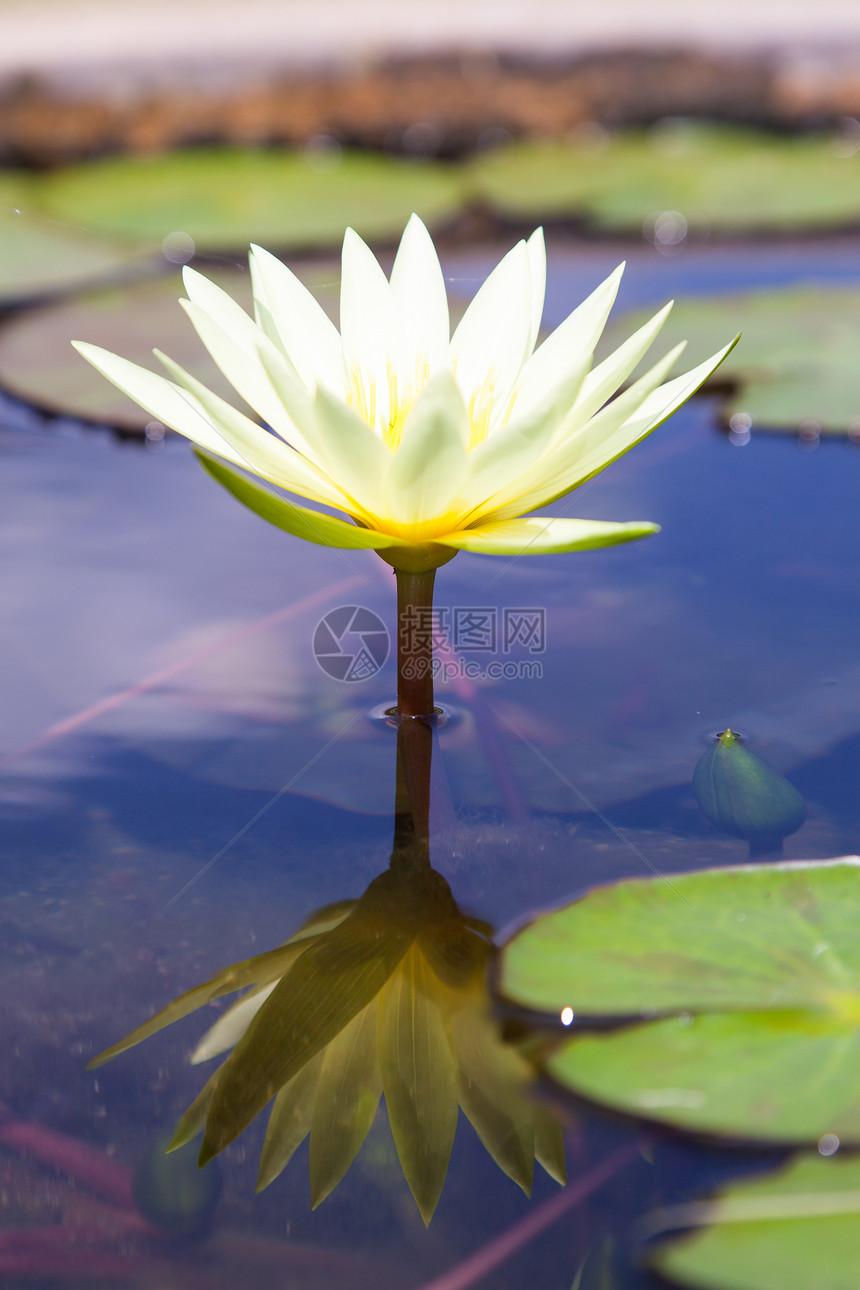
42 257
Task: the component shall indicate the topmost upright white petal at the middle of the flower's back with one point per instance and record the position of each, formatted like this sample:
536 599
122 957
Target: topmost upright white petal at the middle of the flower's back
421 304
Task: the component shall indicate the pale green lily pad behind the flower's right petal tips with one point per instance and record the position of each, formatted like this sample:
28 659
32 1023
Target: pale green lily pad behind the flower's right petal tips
796 364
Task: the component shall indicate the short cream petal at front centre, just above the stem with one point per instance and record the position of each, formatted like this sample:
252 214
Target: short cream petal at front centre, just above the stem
430 465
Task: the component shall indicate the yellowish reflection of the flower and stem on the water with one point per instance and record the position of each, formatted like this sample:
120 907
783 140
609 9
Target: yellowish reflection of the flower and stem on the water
380 997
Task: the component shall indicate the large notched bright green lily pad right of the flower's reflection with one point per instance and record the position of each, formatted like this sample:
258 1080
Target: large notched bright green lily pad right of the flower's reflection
760 967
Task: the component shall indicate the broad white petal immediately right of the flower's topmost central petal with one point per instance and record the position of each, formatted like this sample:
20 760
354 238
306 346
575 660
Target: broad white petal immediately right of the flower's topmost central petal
493 341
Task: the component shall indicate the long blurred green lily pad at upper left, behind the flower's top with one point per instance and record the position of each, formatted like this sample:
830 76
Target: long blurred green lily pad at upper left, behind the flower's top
228 198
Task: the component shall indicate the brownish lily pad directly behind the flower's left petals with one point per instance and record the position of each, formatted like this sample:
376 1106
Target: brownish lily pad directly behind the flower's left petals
39 366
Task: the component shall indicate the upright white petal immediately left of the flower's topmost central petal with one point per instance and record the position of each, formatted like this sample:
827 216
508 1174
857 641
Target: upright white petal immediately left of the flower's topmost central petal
368 330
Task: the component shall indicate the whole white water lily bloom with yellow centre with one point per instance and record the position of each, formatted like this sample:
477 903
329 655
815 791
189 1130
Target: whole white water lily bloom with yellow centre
430 443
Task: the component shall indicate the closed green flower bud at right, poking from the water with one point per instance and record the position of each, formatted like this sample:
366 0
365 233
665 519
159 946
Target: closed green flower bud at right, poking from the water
745 797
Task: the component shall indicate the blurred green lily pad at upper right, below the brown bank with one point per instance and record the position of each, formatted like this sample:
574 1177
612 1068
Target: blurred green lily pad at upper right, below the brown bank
719 179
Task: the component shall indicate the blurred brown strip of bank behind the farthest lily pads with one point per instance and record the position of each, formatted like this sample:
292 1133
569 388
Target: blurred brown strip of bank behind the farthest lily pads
426 106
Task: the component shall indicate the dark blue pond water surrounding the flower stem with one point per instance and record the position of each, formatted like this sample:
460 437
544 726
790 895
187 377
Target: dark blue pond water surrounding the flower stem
182 785
